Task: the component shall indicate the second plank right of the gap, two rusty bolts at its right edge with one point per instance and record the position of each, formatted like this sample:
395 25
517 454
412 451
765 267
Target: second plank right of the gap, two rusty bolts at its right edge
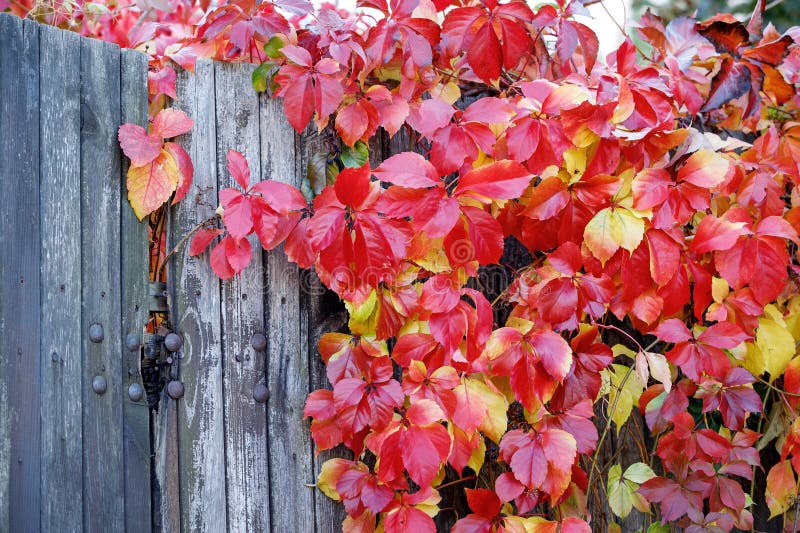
242 316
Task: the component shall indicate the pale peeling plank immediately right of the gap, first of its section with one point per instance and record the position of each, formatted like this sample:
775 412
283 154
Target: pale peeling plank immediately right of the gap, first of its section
196 315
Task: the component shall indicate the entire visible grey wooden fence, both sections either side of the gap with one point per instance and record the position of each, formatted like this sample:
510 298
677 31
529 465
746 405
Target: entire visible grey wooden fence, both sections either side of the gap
76 452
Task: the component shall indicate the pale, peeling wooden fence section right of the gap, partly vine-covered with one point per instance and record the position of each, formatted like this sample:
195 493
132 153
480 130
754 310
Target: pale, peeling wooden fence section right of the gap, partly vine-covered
223 458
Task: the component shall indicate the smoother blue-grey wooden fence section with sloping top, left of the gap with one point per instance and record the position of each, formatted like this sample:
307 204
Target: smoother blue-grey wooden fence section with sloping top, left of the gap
71 458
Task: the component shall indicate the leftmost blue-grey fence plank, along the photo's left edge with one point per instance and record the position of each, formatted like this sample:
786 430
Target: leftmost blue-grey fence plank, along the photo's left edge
19 177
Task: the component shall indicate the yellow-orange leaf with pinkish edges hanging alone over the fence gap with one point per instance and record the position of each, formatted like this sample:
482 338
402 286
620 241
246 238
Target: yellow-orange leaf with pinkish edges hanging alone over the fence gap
150 185
